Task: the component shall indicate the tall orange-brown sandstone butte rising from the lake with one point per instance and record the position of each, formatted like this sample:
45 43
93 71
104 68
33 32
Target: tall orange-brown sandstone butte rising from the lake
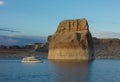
72 40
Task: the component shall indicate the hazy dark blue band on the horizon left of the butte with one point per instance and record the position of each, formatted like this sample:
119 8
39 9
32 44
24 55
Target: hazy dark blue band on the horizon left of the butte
21 40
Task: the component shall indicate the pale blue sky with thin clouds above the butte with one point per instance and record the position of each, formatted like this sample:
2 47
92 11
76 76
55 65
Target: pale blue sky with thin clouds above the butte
41 17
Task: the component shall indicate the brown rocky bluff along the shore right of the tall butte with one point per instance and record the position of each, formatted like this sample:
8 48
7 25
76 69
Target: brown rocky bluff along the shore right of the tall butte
106 48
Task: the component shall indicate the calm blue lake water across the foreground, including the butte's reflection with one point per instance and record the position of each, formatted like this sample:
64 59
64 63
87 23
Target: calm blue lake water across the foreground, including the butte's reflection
101 70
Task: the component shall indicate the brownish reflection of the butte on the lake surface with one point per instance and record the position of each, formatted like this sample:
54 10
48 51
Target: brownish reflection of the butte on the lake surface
68 71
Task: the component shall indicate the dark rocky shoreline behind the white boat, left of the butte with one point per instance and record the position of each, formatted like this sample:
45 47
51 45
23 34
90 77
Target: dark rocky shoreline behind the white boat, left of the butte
37 49
